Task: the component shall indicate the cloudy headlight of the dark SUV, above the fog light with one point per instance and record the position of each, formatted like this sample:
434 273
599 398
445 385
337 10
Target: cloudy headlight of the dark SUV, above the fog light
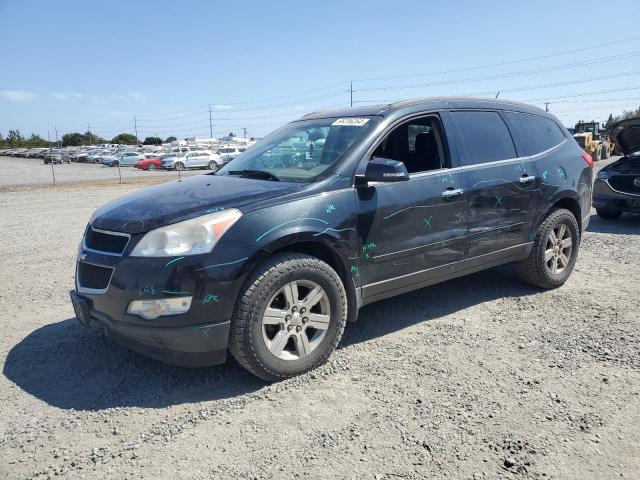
191 237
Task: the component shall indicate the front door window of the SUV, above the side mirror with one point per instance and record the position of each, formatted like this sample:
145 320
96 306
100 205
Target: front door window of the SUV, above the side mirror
418 143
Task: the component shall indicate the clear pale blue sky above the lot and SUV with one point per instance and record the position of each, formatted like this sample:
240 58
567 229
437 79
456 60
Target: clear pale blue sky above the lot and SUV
67 65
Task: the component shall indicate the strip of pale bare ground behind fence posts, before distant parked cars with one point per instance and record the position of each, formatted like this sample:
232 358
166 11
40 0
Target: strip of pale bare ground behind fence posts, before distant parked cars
17 172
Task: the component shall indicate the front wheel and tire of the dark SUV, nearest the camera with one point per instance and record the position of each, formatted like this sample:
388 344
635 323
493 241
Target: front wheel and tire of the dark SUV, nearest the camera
253 340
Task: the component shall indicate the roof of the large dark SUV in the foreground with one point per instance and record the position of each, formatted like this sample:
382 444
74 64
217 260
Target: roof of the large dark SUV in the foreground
428 103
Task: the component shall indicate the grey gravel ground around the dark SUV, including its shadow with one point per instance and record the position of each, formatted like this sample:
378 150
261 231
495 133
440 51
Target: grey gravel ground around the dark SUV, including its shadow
480 377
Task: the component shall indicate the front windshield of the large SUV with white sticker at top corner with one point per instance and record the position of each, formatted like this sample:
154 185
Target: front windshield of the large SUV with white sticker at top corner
305 150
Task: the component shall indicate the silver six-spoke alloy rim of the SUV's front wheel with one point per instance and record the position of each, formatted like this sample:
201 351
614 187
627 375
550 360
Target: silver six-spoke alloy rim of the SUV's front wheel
296 320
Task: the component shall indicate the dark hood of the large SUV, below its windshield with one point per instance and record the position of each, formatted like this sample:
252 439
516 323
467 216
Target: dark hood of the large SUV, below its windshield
173 202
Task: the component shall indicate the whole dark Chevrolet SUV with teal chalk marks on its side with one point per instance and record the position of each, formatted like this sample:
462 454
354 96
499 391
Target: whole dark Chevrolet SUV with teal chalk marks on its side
273 254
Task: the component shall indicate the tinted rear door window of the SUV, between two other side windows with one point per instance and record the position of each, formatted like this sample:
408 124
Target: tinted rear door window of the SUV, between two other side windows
485 137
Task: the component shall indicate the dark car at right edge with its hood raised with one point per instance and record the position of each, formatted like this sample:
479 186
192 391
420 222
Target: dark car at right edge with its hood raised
617 186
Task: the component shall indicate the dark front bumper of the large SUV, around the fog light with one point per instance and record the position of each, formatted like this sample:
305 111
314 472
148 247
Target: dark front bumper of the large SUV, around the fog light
198 337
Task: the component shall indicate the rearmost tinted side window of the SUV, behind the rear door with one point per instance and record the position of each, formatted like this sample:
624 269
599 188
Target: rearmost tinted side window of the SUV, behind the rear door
534 134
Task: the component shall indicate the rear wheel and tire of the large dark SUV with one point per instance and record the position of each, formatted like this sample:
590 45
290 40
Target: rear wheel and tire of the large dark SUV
536 270
